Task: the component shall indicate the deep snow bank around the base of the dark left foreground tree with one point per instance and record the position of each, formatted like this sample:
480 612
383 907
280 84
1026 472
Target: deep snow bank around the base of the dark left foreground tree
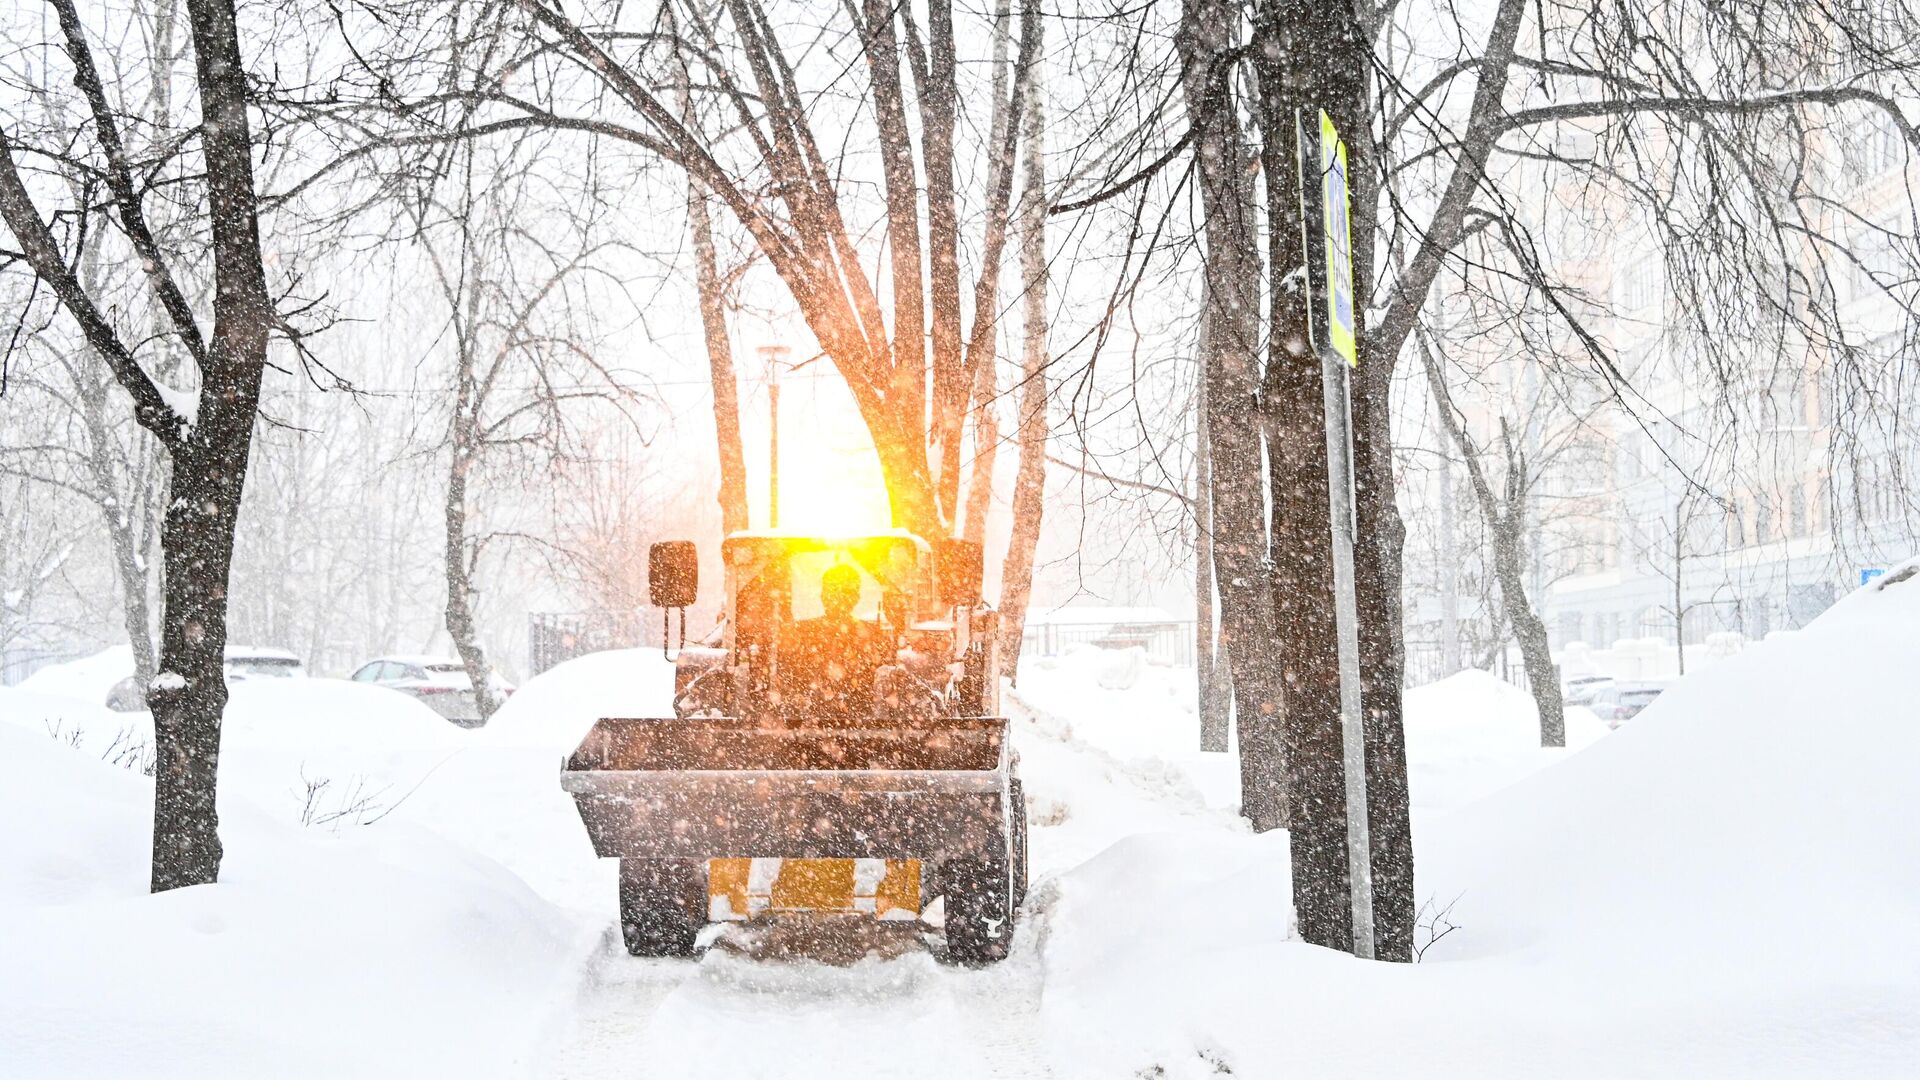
379 952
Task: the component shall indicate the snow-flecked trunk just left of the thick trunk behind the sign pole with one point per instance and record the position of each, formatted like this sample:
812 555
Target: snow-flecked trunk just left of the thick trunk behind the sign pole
1232 272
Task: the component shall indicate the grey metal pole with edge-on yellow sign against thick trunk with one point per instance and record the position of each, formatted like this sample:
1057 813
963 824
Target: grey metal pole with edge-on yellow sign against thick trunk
1330 253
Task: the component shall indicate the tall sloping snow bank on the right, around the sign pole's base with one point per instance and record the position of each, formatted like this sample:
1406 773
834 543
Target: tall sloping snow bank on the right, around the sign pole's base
1729 887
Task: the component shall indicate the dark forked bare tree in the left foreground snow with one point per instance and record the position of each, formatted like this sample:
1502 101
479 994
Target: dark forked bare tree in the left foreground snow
206 435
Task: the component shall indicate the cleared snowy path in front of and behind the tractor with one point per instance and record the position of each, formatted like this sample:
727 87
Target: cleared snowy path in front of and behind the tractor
898 1012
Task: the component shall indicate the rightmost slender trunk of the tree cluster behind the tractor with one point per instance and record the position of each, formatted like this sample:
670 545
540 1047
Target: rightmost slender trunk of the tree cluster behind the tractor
1030 479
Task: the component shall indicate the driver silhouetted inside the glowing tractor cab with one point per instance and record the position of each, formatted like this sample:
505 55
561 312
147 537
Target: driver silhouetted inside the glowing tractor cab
834 658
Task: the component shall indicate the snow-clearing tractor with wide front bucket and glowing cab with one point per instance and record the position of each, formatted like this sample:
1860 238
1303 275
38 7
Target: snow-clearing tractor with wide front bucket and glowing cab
834 750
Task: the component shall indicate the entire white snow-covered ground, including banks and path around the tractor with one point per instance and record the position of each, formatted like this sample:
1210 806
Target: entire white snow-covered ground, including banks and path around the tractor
1727 887
